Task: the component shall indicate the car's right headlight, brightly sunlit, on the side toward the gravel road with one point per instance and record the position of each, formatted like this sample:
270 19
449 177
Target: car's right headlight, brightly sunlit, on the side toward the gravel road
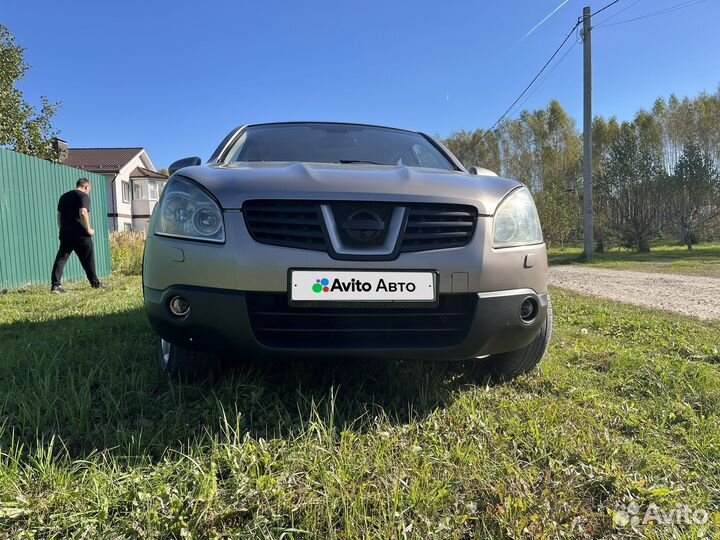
516 221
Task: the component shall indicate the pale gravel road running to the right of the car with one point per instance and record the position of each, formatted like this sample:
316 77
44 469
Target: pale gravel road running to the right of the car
690 295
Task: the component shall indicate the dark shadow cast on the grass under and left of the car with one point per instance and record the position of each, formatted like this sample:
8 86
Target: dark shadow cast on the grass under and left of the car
93 382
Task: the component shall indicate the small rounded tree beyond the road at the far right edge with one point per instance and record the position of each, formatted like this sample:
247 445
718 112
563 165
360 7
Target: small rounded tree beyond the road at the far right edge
693 193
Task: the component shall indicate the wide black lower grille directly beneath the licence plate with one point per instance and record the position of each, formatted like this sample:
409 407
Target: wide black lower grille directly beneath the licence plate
276 324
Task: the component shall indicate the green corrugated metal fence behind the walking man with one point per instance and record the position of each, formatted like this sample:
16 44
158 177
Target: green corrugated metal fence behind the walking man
29 191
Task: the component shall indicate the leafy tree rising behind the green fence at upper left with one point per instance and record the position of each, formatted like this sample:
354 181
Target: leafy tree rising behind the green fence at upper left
22 127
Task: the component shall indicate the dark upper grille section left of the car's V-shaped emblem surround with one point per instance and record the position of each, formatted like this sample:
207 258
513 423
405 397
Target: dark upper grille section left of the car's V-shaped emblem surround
285 223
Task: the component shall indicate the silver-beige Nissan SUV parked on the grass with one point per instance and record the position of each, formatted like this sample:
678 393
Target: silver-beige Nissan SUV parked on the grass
340 240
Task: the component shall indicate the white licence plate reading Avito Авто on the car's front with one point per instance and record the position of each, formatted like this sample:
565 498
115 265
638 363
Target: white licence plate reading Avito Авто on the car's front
361 286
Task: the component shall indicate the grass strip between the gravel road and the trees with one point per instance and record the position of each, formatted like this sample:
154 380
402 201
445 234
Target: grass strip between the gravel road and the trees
703 260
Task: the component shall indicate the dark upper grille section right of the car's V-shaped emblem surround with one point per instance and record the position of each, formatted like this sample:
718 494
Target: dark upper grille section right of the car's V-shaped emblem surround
436 226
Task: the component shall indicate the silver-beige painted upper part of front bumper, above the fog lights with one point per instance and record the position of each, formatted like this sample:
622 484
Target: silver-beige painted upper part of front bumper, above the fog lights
242 264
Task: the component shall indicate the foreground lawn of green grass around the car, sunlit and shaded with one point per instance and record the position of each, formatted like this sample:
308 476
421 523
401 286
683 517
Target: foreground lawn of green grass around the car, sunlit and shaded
96 443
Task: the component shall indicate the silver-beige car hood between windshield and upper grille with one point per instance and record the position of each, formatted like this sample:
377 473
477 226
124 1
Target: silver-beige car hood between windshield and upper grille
233 184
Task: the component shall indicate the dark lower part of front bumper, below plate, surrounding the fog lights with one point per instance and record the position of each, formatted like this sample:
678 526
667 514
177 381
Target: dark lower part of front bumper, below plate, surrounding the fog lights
223 320
